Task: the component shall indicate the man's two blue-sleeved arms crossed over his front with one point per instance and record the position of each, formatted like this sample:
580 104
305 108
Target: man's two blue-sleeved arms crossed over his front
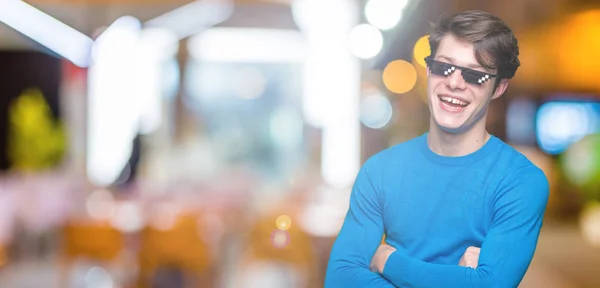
505 254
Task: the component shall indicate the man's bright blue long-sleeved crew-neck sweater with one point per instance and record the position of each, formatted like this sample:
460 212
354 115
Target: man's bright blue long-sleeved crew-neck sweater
431 208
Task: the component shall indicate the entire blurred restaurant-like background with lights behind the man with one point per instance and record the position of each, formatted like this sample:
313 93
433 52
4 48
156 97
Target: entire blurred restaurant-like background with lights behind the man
214 143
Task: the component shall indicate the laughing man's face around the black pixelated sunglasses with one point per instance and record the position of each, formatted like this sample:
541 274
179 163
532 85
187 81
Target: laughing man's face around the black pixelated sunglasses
455 104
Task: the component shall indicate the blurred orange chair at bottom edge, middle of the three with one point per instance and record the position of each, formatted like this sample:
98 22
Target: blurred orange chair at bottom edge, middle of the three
175 252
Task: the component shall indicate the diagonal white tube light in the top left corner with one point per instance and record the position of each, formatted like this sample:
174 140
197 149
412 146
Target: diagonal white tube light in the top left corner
46 30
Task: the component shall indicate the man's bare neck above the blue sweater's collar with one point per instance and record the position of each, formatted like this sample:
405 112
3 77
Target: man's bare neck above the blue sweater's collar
454 145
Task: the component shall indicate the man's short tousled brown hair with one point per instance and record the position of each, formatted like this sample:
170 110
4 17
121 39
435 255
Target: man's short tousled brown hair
494 43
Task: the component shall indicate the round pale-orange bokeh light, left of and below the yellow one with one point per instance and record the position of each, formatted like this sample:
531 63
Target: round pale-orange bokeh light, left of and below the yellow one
399 76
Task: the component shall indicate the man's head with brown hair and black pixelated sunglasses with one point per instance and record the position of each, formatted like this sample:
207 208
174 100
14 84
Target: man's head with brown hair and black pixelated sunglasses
473 55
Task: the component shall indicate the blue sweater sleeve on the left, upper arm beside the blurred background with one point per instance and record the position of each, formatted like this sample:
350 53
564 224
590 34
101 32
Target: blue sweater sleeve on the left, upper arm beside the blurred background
358 239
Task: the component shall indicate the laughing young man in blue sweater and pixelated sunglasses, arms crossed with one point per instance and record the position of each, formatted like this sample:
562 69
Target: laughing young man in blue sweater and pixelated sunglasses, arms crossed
441 196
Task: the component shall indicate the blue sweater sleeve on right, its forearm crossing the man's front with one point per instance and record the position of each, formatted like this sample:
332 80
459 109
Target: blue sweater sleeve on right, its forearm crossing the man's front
506 251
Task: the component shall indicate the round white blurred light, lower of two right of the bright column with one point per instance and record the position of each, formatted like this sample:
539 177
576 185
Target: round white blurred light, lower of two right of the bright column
365 41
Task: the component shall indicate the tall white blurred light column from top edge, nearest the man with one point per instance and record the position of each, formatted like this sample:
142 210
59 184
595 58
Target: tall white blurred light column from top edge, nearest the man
329 102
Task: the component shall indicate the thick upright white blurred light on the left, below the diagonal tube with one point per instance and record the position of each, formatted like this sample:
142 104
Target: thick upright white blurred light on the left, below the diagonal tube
113 116
